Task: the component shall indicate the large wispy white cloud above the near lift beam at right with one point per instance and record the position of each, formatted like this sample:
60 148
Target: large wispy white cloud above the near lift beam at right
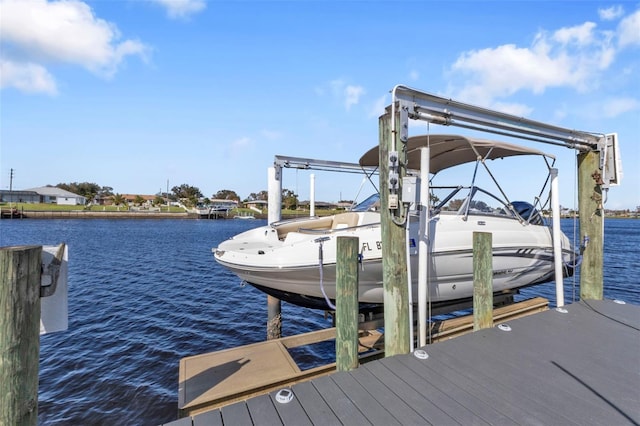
569 57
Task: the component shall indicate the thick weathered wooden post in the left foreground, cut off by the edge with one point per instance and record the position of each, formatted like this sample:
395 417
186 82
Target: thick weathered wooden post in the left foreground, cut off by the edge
20 272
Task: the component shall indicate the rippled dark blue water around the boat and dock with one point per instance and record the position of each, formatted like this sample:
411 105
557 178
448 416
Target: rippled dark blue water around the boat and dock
145 293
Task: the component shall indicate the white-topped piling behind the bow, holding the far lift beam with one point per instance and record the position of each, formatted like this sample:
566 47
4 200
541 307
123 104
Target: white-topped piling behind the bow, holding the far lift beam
274 306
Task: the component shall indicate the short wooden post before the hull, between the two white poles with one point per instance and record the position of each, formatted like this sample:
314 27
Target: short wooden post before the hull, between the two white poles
482 280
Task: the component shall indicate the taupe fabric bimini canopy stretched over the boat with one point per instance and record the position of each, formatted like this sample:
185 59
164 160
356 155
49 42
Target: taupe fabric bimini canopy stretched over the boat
452 150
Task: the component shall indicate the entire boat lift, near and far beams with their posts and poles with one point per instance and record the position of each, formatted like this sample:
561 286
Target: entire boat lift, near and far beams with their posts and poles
600 168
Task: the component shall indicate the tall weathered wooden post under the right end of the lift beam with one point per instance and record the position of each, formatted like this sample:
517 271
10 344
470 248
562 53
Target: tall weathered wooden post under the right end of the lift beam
591 225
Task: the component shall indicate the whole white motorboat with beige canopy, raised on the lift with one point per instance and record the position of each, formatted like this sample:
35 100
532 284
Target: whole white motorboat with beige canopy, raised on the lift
295 260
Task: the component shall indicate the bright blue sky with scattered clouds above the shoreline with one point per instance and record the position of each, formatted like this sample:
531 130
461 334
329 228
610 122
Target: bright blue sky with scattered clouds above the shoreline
135 94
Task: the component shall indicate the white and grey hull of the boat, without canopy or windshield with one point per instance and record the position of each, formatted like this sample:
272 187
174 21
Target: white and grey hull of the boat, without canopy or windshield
303 266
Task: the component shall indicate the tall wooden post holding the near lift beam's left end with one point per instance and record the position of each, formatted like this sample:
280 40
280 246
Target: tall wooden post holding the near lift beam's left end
394 255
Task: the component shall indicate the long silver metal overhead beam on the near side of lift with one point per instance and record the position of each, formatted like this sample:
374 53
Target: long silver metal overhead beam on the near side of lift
424 106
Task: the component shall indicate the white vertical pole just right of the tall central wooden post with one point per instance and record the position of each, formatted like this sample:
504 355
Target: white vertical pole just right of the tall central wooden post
423 247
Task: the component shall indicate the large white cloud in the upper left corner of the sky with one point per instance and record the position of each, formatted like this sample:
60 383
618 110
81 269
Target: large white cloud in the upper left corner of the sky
40 32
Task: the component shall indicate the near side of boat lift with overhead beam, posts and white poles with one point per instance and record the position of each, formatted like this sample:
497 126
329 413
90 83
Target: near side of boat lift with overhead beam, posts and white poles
600 167
